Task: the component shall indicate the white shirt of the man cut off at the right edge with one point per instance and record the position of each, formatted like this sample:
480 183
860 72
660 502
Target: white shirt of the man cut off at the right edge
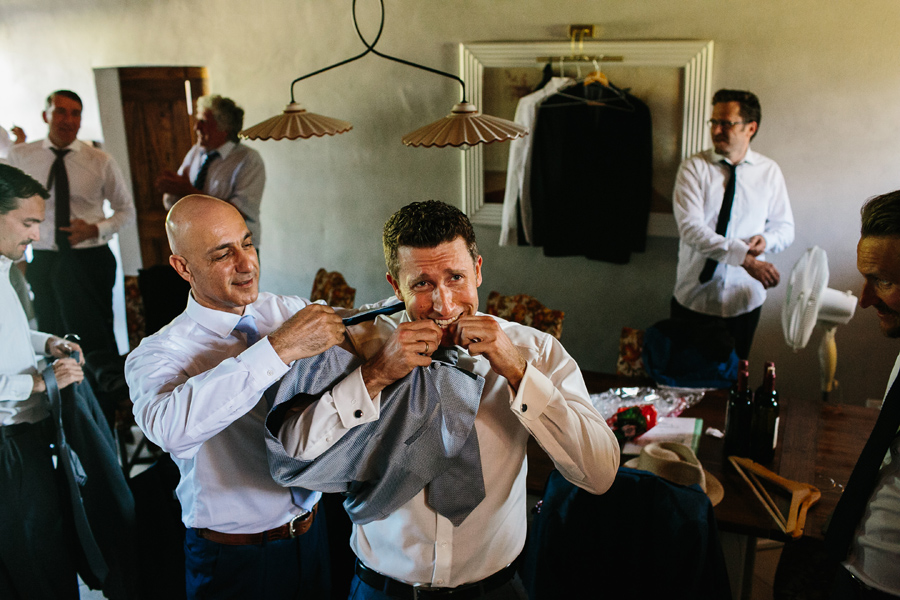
875 551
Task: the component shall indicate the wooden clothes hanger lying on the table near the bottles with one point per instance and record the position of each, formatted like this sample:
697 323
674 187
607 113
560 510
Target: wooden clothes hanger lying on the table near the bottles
803 495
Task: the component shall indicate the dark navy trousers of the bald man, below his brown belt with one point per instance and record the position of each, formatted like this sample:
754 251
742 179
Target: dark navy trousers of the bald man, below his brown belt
281 570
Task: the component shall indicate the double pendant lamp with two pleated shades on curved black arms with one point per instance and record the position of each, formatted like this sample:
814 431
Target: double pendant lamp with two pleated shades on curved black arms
464 126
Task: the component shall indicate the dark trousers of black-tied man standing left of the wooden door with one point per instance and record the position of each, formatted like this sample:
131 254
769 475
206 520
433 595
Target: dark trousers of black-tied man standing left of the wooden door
73 294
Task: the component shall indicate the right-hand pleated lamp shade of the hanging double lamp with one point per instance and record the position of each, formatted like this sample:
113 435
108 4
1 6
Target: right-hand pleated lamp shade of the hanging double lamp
465 126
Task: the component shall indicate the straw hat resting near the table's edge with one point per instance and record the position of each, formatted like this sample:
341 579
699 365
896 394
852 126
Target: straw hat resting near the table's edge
678 464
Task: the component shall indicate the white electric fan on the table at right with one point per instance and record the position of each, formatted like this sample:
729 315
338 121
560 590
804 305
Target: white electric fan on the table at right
809 301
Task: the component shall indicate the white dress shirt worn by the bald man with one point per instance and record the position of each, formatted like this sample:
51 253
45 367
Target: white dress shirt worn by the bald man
197 392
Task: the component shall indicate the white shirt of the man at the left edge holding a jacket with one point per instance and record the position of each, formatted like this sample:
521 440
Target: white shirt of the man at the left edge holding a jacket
18 358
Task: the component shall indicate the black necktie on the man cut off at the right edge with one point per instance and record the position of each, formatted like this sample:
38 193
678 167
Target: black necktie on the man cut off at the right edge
852 504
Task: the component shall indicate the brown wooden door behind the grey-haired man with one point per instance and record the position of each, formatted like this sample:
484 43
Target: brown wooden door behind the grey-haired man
159 132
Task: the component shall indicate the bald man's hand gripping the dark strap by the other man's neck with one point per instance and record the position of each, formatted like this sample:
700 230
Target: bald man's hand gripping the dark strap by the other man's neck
309 332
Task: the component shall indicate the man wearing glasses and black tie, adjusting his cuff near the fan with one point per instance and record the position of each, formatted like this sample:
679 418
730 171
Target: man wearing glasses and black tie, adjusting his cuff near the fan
731 206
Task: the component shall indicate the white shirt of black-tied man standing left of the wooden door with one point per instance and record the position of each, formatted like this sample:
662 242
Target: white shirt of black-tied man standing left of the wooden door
93 178
